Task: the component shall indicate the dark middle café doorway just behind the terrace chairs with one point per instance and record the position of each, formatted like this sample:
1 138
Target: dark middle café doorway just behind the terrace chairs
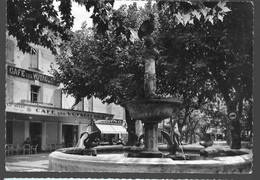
36 134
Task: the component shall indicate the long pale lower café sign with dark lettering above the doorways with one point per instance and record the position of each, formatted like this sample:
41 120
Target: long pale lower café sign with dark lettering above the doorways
37 110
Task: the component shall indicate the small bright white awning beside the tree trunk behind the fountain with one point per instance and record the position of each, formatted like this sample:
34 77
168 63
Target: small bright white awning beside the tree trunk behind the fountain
111 129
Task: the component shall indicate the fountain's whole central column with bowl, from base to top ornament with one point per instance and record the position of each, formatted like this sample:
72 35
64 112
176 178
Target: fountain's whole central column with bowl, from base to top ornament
151 109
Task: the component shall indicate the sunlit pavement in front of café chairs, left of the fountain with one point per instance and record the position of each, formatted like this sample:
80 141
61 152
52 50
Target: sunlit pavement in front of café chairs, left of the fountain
27 163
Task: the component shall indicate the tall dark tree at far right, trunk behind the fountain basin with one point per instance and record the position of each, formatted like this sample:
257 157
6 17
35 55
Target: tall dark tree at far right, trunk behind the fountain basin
232 70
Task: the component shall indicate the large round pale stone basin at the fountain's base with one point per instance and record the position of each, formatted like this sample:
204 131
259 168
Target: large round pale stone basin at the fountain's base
118 163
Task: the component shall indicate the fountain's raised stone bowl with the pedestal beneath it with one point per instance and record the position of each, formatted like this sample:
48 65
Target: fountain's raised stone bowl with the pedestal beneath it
151 112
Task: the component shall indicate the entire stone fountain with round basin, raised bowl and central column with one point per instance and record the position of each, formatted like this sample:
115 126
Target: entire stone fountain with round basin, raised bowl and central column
151 110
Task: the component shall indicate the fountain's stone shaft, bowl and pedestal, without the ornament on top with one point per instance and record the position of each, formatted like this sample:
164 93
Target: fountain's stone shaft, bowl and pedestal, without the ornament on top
151 111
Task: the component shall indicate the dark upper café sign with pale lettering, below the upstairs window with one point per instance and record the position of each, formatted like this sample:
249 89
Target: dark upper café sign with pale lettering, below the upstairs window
22 73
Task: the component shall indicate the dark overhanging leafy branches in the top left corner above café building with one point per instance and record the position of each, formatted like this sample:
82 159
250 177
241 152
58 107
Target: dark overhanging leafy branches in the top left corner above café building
38 22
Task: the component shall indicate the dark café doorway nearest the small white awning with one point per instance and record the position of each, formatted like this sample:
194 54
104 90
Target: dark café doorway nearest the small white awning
69 135
